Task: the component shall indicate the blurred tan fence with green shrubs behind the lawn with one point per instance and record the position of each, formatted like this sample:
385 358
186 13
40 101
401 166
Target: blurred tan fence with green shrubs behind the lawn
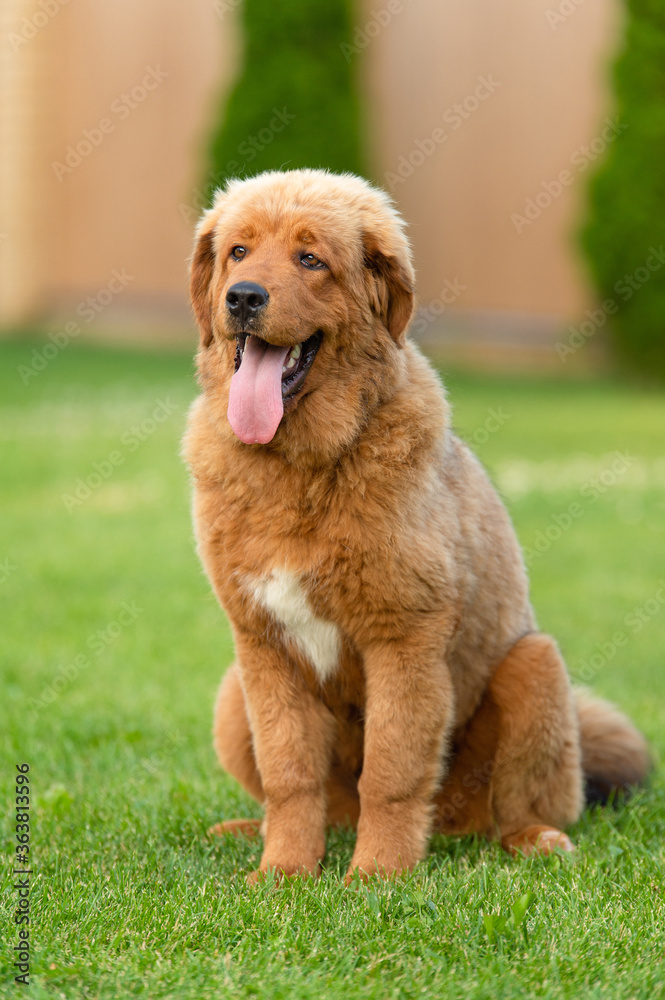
485 122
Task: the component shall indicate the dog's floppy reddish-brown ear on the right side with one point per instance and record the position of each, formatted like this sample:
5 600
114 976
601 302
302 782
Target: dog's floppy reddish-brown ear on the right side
394 282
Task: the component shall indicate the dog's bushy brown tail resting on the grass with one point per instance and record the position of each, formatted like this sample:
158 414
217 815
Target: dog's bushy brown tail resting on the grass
615 756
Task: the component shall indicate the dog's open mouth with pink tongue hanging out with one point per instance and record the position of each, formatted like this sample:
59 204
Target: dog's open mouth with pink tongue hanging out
266 377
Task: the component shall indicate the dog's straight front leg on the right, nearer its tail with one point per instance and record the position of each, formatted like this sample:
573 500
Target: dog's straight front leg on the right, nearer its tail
409 707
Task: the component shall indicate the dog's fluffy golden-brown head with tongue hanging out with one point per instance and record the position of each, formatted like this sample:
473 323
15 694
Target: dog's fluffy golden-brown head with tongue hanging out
302 286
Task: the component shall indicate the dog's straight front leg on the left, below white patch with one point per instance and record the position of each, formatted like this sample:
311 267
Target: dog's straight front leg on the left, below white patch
292 734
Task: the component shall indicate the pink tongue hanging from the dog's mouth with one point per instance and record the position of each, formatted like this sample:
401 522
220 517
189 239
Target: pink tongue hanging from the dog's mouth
255 400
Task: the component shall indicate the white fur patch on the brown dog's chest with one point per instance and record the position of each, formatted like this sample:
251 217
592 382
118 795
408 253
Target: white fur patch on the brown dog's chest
283 596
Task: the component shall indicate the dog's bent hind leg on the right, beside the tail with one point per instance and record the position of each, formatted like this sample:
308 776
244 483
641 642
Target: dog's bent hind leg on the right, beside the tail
517 773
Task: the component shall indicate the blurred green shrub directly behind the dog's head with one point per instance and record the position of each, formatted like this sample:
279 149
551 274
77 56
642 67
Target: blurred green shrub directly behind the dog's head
295 103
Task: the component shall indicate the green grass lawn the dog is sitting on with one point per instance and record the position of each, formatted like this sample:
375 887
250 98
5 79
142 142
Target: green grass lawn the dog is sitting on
112 650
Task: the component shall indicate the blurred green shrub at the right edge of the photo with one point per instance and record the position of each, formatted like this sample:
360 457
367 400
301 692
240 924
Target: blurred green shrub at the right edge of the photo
626 218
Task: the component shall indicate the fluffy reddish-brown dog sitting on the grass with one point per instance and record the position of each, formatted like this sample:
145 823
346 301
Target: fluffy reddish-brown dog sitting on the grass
389 672
